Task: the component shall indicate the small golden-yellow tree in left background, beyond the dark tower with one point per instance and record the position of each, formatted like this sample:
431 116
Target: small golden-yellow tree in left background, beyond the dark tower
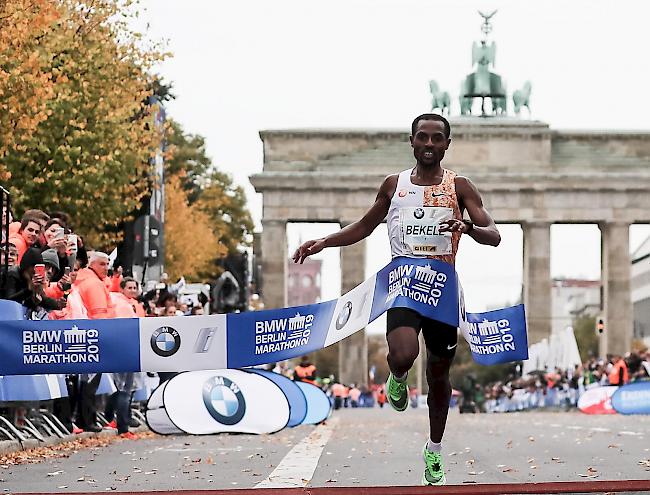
191 245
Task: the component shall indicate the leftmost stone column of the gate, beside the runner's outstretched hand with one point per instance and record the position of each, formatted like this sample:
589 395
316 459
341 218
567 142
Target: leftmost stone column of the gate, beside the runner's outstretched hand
274 263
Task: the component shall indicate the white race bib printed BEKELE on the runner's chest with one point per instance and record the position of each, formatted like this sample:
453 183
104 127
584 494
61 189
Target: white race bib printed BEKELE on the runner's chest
420 230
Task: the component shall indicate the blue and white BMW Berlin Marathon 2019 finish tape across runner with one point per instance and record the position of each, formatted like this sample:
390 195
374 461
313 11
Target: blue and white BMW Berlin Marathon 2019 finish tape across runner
188 343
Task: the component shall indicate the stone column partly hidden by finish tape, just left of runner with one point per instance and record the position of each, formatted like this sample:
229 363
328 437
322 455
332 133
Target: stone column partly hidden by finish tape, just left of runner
353 351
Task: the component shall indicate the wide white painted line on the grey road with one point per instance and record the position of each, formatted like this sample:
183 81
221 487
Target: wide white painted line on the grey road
298 466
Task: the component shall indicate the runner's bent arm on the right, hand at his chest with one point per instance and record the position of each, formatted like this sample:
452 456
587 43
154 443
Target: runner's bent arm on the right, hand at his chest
484 230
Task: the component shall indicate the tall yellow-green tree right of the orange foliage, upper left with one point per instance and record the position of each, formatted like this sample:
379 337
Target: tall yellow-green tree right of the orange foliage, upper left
90 155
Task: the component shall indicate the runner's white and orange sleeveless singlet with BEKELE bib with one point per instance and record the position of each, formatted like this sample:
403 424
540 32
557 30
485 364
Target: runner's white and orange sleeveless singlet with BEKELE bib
415 215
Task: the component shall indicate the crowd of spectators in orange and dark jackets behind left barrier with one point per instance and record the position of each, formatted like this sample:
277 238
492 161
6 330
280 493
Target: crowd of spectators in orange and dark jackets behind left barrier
55 275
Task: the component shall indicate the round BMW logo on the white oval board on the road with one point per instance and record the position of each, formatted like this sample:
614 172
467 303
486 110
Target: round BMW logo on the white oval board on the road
223 400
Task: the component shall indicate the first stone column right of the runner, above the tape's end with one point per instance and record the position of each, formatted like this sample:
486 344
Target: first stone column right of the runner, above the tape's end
537 280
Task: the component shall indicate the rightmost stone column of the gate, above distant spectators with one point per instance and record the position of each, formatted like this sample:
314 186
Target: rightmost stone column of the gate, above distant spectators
617 300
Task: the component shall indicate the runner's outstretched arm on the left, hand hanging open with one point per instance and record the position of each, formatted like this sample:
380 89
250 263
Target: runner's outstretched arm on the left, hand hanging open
356 231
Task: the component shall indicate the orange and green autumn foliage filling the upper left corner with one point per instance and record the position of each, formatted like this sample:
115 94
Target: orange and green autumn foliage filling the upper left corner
75 130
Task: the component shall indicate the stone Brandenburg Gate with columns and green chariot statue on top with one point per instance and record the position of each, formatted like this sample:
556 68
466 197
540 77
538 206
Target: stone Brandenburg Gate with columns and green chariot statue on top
527 173
